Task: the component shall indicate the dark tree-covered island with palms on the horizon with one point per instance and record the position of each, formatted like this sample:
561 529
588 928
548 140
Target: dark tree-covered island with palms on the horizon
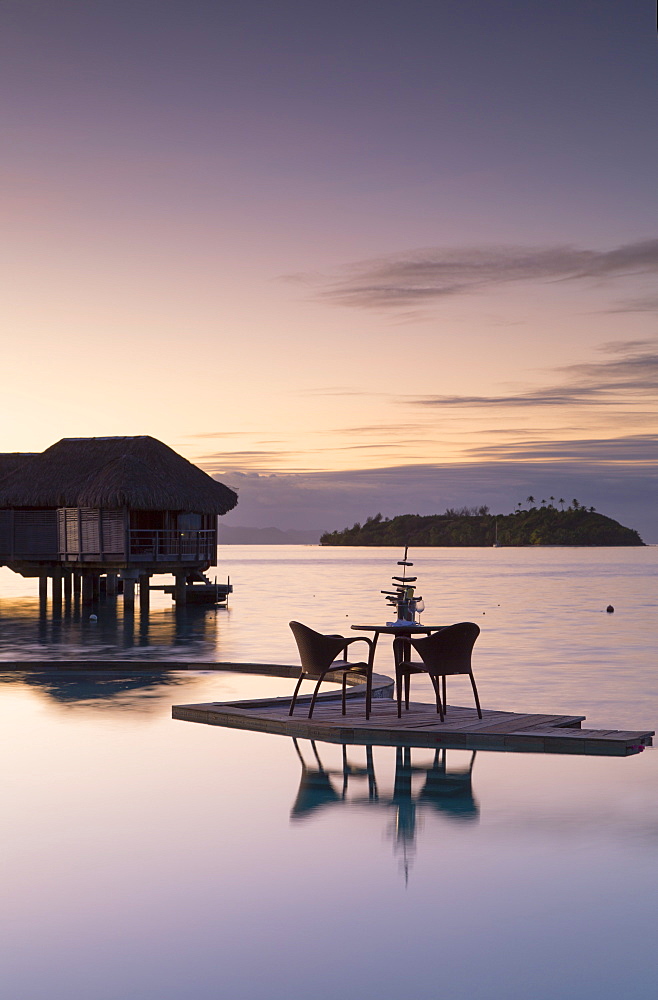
545 524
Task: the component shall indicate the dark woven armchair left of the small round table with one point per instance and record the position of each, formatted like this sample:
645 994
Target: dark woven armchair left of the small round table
318 655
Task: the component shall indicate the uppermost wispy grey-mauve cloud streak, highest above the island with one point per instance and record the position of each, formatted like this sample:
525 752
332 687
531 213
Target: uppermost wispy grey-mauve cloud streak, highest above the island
431 274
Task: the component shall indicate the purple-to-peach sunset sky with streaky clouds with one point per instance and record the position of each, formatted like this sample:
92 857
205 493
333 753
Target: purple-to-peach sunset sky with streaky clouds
347 257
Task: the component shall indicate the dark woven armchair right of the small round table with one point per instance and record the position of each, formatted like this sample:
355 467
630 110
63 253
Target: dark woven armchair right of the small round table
442 653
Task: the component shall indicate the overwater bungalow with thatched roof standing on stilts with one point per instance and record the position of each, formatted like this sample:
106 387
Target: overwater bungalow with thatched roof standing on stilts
115 506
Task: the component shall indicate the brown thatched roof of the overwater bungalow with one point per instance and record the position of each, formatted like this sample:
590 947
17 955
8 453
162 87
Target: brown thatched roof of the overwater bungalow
136 472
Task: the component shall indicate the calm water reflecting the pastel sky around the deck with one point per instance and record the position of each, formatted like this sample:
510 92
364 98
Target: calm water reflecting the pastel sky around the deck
148 858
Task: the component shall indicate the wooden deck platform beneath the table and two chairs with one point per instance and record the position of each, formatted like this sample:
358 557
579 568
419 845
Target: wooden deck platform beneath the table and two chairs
418 727
